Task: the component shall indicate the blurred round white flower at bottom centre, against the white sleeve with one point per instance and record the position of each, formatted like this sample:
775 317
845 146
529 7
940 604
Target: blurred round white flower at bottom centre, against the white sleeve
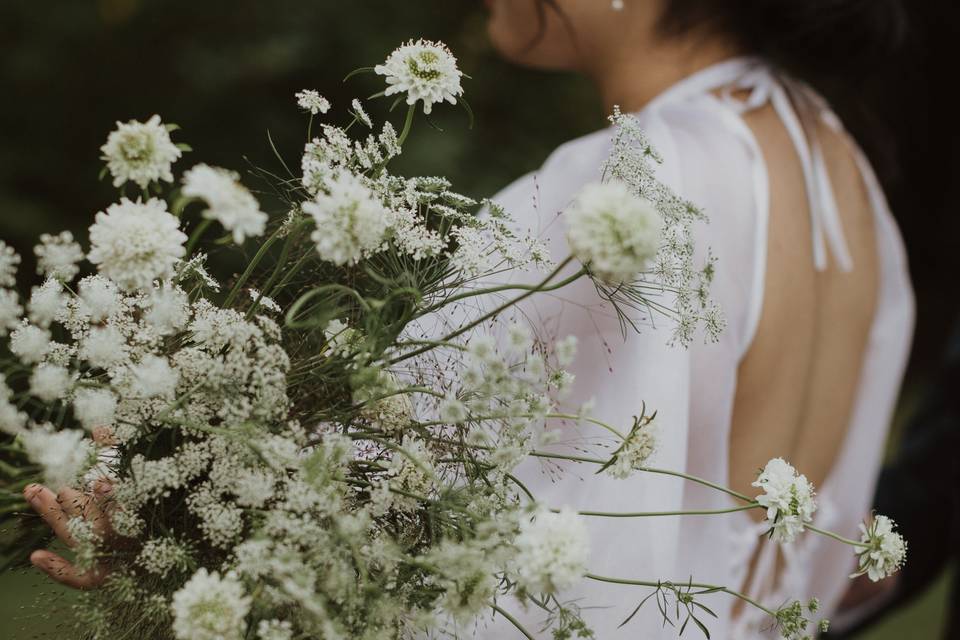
553 549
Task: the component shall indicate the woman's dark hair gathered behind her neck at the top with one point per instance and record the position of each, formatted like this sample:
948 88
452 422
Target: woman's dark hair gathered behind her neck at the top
840 47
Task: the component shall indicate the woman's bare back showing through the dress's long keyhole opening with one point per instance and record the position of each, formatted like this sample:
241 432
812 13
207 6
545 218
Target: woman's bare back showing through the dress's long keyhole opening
797 384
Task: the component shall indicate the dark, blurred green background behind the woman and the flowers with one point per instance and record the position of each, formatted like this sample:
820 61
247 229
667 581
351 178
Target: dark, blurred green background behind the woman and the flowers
226 71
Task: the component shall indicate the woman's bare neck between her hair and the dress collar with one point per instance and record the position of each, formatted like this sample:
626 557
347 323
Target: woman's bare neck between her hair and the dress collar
633 77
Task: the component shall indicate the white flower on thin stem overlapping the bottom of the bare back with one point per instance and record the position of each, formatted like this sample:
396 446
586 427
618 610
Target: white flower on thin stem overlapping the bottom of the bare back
788 498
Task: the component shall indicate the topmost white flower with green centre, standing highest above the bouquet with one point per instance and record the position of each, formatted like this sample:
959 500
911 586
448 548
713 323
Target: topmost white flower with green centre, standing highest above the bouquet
423 70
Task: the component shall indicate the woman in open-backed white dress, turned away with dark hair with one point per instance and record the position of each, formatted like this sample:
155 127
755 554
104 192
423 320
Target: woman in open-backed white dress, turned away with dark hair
811 275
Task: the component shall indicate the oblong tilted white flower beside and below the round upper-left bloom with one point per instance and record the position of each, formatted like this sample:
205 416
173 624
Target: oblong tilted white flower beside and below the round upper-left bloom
229 202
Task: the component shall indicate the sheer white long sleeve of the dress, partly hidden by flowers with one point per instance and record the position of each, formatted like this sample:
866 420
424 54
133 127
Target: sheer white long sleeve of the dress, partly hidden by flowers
623 375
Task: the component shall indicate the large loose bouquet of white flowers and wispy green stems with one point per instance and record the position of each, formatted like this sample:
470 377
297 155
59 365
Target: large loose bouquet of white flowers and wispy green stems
297 450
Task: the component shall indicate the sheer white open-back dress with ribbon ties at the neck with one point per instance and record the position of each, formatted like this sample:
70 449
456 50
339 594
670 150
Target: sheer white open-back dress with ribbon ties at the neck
711 158
